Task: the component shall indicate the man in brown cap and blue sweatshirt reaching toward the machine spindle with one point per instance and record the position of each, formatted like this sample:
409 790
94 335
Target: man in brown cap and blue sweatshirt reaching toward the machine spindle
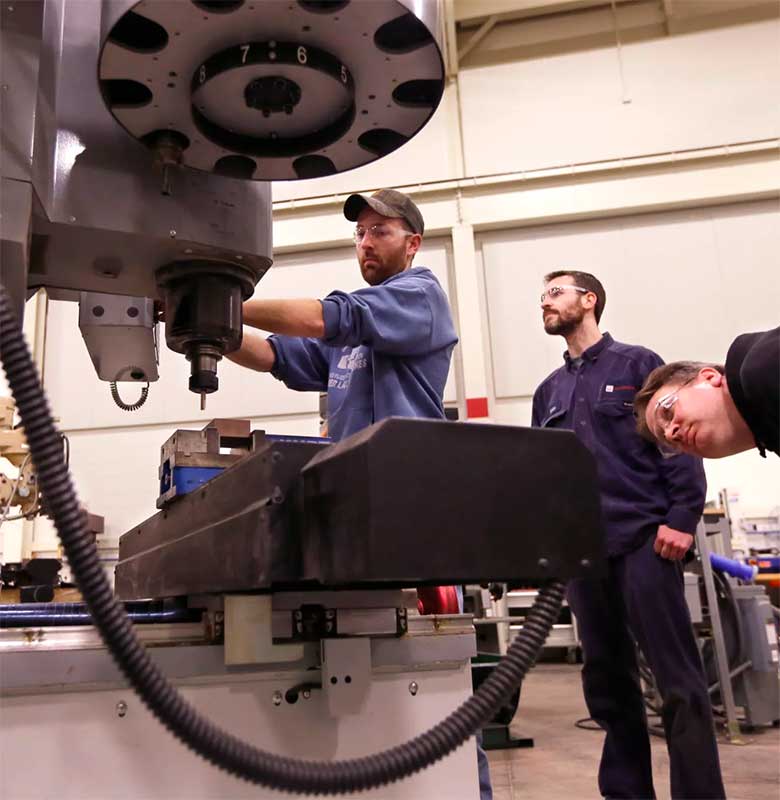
381 351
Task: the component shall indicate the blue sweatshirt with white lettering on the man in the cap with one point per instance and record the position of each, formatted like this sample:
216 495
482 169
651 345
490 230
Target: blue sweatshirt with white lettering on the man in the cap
386 352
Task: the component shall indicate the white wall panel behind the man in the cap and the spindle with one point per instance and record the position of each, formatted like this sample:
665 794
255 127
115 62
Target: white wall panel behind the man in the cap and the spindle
81 401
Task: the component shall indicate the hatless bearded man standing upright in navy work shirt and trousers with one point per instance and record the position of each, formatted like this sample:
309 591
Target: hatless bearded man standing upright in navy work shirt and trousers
650 508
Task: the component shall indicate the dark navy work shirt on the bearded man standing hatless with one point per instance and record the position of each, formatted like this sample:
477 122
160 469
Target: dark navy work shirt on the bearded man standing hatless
640 490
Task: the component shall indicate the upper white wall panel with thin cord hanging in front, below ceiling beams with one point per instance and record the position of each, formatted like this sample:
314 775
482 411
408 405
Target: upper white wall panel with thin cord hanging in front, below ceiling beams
696 90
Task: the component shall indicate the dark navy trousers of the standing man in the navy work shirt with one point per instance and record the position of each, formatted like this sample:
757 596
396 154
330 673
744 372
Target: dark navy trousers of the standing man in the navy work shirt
642 599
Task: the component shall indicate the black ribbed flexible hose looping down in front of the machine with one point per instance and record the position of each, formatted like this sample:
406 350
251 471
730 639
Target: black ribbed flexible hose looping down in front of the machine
215 745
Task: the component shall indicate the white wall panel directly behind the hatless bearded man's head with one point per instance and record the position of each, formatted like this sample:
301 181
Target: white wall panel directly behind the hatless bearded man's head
681 283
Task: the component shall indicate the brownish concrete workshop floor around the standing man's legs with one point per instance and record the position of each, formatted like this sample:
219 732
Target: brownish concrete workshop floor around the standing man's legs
564 760
